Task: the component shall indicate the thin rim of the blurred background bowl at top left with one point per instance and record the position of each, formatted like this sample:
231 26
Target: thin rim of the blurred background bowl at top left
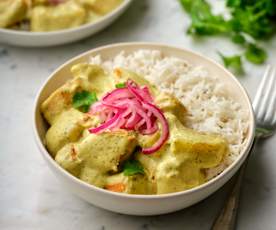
85 26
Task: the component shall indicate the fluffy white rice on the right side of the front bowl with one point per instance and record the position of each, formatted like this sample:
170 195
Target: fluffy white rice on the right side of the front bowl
209 109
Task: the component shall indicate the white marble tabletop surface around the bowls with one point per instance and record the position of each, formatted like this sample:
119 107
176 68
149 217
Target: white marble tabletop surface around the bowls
32 198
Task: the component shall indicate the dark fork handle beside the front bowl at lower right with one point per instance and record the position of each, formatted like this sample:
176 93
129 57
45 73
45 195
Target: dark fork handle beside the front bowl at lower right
226 219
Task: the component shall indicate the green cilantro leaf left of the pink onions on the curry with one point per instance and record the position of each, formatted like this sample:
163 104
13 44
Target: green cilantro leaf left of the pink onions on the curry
83 100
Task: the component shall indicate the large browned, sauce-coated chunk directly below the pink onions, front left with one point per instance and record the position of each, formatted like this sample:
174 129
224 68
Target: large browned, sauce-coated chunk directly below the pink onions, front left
95 156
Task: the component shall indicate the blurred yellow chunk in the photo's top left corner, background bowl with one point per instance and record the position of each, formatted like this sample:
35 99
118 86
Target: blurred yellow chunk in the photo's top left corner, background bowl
12 11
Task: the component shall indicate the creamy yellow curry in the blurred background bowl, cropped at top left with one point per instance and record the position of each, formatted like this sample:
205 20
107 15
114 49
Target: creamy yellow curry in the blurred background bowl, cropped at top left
52 15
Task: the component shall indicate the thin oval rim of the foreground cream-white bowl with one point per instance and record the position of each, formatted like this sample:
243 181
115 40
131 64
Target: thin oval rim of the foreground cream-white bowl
148 45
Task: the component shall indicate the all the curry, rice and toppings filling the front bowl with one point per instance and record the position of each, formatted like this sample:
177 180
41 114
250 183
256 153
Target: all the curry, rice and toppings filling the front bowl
115 127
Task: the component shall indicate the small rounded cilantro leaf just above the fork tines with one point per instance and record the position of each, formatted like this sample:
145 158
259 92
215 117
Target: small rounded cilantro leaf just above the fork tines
255 54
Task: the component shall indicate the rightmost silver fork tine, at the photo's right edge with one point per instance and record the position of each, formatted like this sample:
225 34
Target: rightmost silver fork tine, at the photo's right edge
271 113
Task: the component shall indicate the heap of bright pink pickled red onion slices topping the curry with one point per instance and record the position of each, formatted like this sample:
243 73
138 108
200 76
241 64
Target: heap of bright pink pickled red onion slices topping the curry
131 108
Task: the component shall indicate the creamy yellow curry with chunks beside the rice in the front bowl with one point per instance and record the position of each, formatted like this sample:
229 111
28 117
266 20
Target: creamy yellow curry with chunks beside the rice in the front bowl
98 159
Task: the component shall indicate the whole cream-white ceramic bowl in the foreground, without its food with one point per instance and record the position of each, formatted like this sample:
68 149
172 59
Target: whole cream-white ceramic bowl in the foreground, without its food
140 204
